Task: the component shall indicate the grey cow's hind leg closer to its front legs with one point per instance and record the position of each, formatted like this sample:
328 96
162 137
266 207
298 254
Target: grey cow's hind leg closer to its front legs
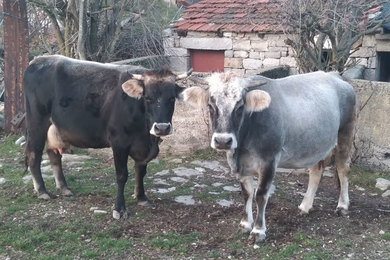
315 174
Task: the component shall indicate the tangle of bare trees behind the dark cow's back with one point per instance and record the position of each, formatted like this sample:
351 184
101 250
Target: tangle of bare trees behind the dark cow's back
105 30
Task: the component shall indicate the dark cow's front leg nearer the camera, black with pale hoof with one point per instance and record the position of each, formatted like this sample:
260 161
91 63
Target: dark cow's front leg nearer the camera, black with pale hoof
120 159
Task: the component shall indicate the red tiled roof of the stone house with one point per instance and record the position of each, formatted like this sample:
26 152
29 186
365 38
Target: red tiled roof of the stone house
231 16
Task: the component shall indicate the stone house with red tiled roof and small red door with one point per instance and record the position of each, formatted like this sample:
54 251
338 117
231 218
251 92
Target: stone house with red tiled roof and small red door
243 36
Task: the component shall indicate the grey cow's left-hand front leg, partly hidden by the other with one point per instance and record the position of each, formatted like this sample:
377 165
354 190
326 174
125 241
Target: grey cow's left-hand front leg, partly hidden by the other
247 192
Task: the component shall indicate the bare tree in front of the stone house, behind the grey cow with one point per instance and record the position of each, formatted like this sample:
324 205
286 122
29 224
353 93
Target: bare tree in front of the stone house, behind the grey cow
313 24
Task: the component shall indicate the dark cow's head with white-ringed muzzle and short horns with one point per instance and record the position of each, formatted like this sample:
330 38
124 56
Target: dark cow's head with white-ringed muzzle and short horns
158 90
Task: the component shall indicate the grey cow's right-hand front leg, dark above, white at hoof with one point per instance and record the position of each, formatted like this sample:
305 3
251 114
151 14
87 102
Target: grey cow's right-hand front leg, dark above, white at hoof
266 175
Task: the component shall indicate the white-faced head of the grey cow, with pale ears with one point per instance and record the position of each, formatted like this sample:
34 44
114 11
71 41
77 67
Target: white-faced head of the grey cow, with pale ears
228 98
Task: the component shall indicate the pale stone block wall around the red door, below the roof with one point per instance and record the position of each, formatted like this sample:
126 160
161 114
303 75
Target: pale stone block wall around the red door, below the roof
245 53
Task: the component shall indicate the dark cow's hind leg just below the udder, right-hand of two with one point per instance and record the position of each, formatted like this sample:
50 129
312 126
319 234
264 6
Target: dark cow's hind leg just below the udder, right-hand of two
56 166
